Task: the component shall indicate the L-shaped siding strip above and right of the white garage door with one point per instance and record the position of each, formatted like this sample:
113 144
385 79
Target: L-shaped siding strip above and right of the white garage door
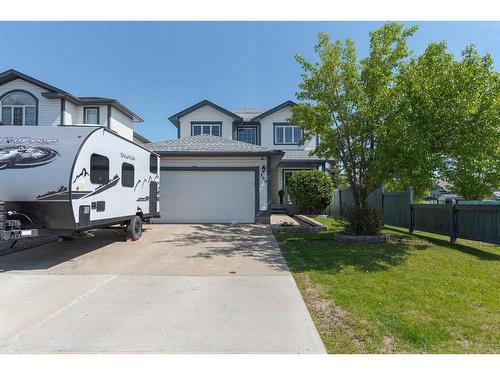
225 162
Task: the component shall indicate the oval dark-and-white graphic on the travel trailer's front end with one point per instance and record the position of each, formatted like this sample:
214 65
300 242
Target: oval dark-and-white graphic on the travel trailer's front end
17 157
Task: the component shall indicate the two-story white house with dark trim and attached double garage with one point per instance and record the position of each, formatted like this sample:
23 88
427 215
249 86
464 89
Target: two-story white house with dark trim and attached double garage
228 166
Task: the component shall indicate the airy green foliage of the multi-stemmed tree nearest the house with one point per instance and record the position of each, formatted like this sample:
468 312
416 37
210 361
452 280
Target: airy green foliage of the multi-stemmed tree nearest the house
350 103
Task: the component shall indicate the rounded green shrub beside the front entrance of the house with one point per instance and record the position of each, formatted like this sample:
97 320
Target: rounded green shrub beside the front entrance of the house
310 191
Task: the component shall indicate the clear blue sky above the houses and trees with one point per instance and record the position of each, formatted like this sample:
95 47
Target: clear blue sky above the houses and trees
159 68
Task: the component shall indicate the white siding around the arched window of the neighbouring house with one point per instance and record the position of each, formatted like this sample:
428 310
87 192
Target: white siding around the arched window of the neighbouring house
49 110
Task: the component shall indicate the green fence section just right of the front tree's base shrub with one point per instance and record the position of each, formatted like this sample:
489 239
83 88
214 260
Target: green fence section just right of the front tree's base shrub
396 208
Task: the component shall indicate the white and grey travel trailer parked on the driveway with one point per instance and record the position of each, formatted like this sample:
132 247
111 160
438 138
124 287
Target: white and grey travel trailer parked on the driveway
58 180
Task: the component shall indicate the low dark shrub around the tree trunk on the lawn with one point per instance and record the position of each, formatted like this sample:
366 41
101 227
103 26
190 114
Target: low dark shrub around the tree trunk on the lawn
364 221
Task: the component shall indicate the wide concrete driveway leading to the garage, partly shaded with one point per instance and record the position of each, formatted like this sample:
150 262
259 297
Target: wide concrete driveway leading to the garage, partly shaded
181 288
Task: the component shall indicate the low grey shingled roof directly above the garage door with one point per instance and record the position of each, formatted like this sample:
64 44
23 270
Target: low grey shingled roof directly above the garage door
209 145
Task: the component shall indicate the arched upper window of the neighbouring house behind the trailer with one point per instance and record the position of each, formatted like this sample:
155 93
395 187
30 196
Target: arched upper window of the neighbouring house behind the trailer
18 108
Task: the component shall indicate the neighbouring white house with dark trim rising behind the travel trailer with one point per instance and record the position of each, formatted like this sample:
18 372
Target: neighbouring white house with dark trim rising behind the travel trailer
26 101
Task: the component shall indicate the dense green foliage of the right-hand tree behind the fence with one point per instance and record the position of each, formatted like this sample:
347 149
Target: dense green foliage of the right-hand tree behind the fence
448 124
